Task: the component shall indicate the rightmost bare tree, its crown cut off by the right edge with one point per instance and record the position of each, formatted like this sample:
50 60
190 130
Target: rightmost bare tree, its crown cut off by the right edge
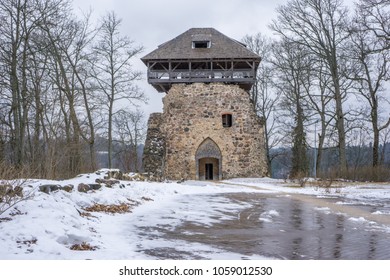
371 67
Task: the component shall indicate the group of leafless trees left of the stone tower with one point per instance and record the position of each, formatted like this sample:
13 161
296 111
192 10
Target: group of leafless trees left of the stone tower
61 80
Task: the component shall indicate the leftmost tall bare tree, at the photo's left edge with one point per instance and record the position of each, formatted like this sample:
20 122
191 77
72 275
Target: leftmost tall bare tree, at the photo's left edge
16 27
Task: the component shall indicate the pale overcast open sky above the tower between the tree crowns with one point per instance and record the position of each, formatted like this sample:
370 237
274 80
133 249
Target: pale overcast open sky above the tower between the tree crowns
152 22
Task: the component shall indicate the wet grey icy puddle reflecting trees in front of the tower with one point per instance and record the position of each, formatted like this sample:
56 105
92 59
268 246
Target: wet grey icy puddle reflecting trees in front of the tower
256 225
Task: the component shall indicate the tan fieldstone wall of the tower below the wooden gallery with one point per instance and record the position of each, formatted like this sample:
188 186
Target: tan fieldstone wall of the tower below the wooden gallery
193 113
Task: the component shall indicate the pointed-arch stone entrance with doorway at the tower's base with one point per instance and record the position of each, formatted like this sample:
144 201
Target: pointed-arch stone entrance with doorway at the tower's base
208 161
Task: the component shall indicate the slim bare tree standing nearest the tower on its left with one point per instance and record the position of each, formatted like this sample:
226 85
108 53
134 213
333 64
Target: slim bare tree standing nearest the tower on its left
113 71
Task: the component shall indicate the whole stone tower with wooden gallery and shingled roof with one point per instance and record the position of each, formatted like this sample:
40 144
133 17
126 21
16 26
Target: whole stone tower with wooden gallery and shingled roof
208 129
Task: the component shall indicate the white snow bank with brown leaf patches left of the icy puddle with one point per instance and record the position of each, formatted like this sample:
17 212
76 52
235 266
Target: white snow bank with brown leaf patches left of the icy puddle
46 226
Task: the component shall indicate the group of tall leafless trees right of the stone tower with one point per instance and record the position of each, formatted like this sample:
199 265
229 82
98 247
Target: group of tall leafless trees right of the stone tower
323 84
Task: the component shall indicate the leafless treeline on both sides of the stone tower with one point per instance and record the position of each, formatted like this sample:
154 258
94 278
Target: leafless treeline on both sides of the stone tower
323 85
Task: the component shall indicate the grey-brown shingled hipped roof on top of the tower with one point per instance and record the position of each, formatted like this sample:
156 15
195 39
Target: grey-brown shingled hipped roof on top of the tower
222 47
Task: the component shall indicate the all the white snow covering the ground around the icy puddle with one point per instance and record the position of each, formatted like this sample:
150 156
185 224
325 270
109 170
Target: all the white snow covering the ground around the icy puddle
46 226
